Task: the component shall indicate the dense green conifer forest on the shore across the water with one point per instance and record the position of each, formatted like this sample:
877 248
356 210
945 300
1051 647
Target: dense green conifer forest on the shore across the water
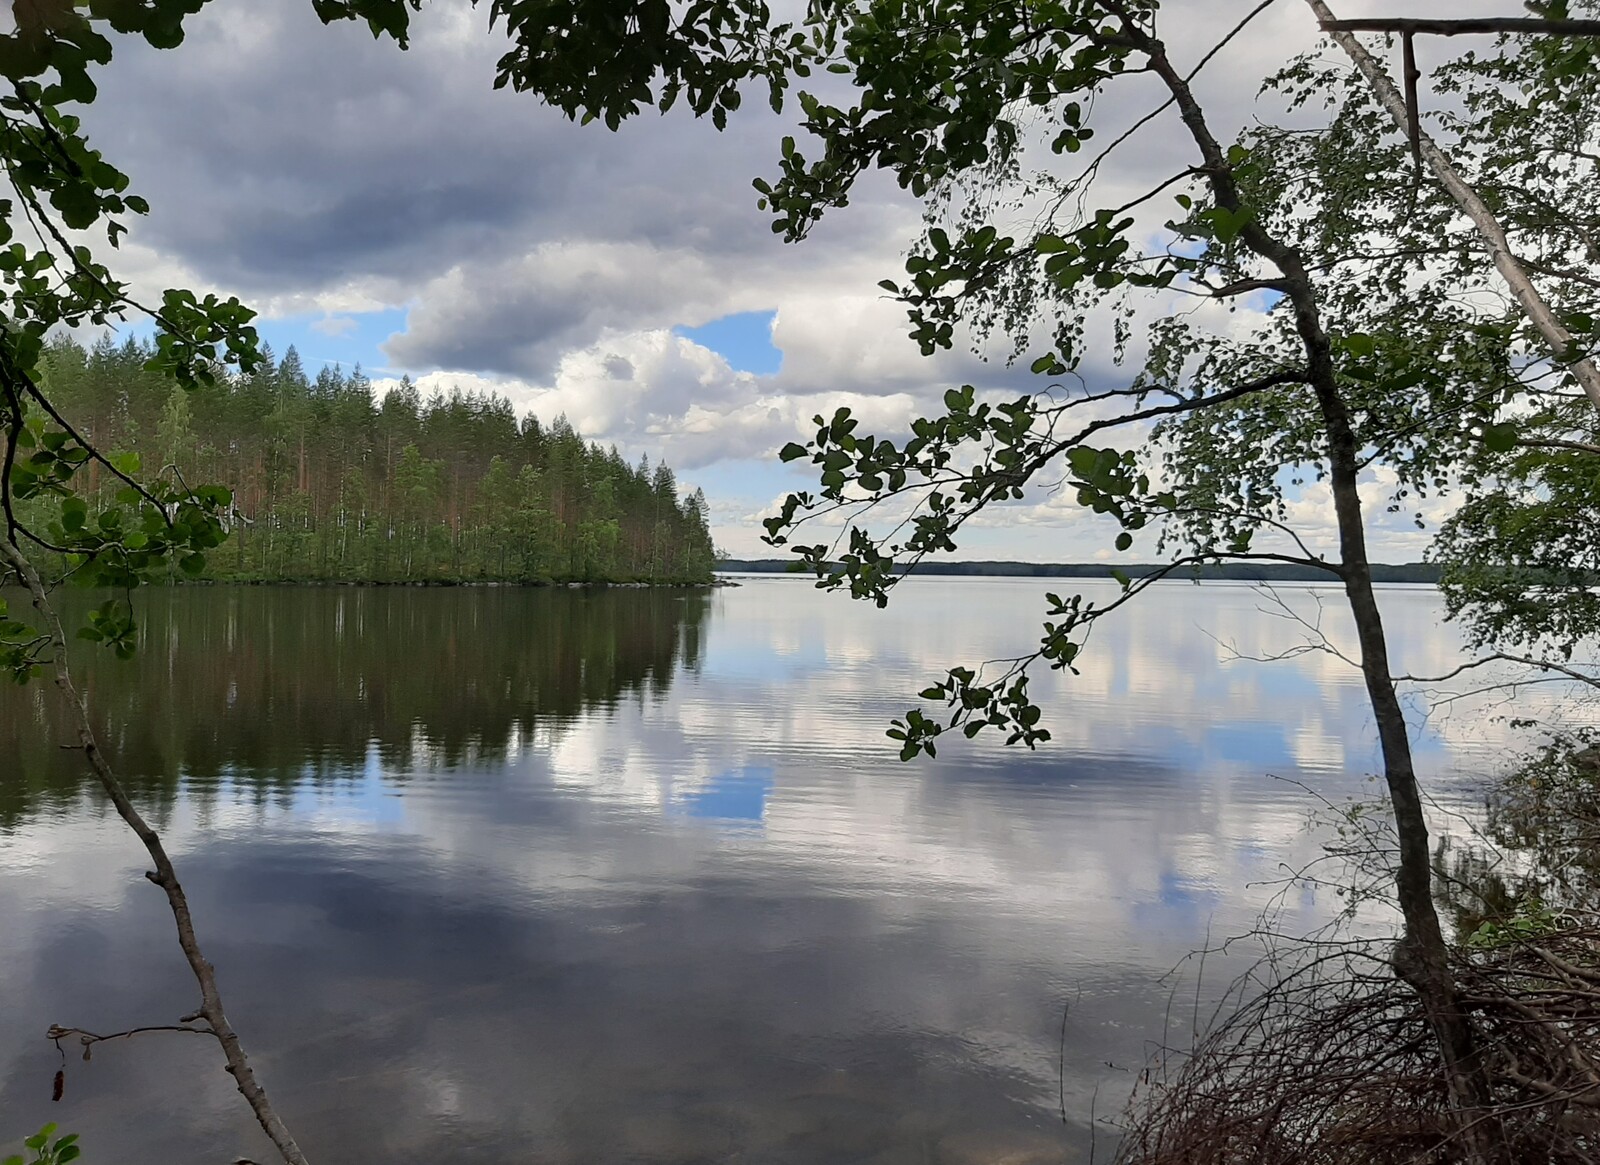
332 482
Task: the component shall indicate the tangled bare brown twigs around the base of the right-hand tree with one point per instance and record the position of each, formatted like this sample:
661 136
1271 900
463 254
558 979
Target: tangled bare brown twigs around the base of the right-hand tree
1330 1063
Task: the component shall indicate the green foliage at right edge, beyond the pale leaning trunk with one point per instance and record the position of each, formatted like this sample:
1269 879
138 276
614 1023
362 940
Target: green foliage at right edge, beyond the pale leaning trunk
1522 554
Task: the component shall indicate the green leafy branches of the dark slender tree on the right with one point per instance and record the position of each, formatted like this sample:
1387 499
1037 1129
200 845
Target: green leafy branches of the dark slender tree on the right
1223 418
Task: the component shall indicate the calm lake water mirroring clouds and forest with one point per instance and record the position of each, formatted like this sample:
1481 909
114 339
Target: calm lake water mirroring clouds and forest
634 876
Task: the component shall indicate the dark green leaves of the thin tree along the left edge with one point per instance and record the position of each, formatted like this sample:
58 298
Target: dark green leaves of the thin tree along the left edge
62 185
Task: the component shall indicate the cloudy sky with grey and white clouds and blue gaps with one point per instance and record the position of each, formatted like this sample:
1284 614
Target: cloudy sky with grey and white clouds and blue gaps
394 210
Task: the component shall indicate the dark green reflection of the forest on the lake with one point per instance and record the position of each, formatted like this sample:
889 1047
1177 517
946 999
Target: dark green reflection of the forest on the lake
268 687
